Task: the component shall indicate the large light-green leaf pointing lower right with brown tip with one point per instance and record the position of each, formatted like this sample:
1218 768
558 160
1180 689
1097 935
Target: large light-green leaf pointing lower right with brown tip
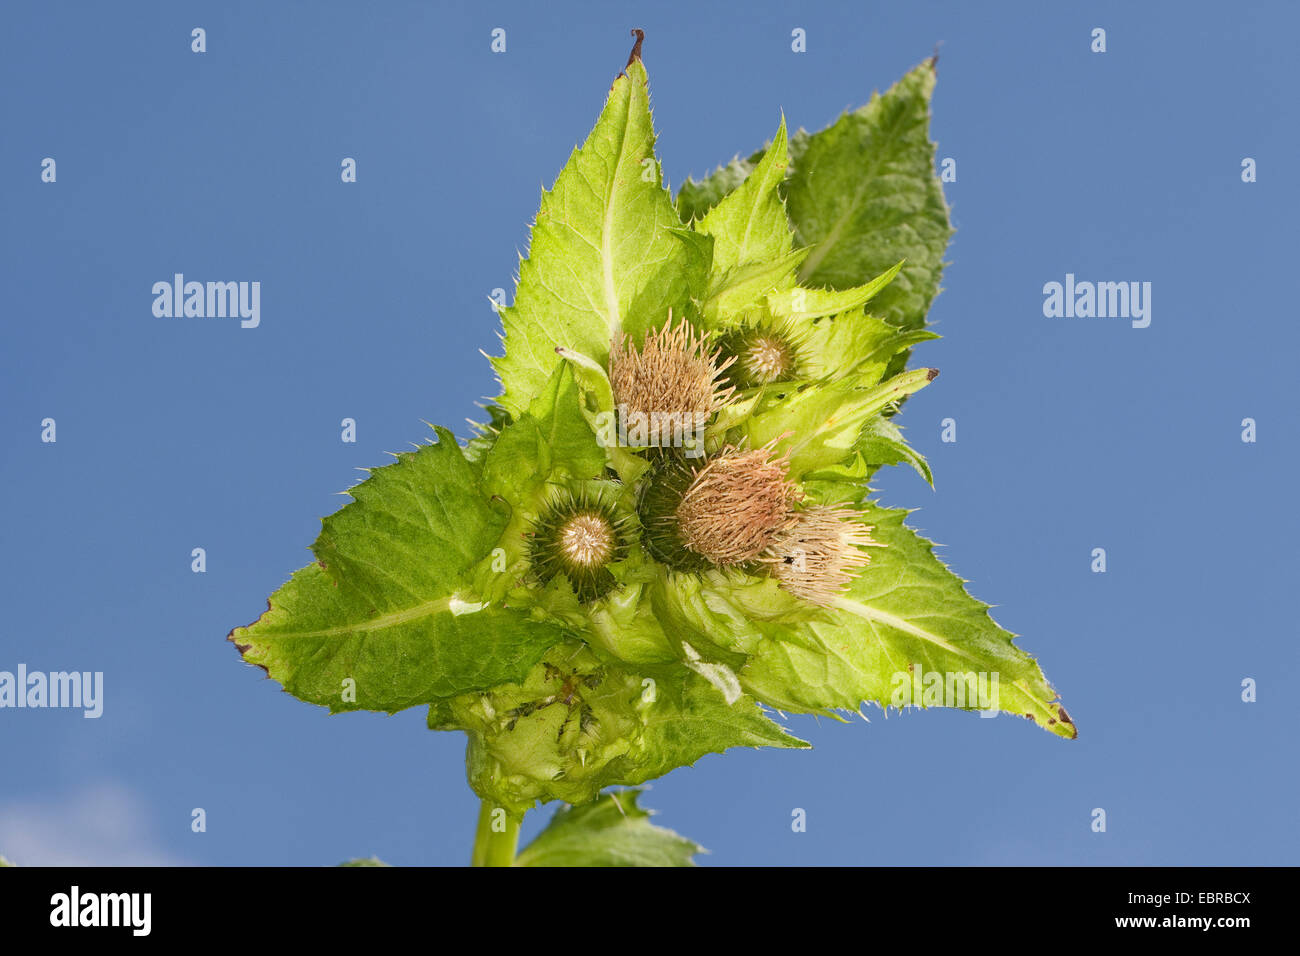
905 617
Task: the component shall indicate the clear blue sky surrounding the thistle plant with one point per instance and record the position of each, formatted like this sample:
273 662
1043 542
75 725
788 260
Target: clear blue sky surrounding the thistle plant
1073 434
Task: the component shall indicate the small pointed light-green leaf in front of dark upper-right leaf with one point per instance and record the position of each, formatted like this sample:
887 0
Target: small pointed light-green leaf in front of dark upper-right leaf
751 226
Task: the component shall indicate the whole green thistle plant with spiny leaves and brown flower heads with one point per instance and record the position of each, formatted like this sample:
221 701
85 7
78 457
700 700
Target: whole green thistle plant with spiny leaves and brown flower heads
664 538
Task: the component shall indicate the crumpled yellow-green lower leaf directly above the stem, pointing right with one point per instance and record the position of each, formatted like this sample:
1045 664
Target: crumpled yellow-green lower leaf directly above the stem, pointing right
582 723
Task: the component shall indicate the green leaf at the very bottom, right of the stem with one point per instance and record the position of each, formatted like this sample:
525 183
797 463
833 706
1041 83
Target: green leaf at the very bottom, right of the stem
610 832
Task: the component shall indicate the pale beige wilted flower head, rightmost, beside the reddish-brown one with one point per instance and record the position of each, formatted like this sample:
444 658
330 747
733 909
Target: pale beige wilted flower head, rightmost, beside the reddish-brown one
818 553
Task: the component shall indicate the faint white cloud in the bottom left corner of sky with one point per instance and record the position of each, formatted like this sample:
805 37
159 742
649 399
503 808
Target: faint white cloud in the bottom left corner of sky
106 825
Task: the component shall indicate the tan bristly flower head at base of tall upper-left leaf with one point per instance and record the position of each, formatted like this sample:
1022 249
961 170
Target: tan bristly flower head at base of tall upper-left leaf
674 375
